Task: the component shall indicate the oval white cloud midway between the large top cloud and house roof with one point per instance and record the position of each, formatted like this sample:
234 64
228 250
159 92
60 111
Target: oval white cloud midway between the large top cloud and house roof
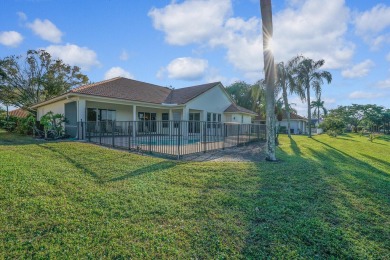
186 68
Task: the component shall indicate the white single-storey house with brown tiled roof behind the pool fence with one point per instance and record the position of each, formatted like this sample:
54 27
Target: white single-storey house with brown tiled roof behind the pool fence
122 99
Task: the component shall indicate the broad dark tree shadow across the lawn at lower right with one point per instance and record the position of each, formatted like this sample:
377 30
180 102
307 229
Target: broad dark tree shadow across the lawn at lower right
313 208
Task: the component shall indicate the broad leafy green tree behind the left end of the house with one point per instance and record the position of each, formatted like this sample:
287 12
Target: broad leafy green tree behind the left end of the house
35 78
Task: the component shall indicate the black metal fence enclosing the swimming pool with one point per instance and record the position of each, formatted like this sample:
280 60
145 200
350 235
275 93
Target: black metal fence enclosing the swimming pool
176 138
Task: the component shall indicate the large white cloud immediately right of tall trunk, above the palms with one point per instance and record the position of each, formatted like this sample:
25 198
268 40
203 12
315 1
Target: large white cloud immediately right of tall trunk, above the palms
314 30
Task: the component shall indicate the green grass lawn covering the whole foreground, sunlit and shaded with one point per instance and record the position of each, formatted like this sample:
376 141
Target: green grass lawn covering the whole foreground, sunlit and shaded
326 198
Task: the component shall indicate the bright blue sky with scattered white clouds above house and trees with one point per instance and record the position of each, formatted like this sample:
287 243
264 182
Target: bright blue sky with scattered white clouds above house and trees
184 43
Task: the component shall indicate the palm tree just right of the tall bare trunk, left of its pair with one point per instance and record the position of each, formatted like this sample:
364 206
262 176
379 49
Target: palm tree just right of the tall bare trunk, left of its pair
286 82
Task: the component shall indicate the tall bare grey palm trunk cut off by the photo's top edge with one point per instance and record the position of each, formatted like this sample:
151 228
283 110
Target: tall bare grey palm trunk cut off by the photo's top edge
269 70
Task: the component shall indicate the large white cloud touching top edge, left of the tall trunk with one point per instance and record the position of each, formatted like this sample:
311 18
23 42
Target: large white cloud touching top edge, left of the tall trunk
191 21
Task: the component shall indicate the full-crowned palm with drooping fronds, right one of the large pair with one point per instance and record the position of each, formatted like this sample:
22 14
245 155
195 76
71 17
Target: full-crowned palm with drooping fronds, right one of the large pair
309 76
